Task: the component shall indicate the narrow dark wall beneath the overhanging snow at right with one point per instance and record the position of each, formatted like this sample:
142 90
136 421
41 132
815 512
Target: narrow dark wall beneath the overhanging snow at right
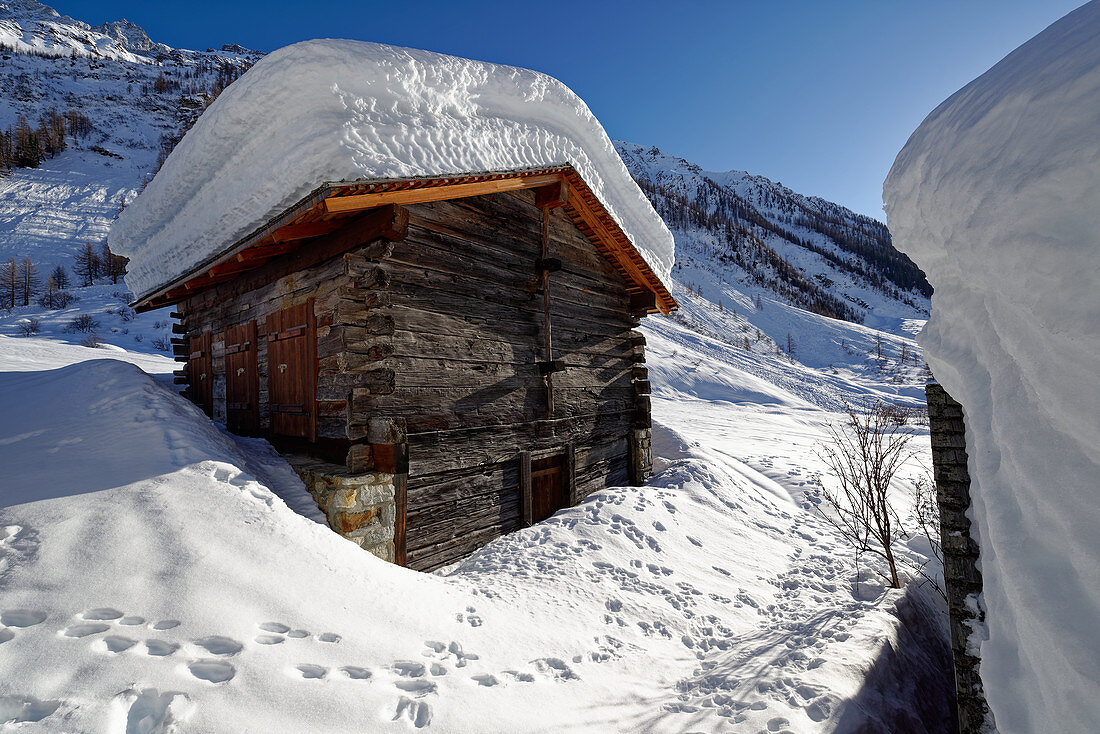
962 576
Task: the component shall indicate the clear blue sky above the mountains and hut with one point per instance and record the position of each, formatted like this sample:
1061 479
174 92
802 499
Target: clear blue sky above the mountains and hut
818 95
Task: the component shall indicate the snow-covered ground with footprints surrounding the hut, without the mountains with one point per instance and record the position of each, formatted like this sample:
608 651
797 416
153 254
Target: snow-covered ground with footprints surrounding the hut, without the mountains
152 573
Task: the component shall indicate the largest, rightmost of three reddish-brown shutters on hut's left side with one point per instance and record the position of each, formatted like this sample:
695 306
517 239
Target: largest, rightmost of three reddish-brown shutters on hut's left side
292 373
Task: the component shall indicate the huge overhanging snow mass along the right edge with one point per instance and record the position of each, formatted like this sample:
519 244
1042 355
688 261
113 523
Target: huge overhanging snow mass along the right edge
997 196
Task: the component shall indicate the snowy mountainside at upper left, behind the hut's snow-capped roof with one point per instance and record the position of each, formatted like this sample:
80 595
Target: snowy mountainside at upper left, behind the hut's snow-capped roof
49 213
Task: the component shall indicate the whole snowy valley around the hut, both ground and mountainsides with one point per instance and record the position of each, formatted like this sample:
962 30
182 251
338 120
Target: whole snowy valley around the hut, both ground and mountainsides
160 575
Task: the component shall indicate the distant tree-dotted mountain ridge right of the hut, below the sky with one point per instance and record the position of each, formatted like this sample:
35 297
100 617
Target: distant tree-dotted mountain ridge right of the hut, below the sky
810 253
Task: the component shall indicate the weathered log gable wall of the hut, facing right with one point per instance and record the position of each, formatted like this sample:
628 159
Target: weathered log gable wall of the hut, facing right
467 309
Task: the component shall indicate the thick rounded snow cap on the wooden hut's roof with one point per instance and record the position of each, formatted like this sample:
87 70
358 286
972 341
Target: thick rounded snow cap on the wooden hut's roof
345 111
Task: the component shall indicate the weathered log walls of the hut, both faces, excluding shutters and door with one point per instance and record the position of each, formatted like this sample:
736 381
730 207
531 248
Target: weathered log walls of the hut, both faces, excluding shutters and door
442 334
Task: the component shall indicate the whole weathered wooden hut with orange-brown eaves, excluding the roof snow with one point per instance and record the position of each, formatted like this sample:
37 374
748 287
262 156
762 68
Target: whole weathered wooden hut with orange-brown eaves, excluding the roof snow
446 360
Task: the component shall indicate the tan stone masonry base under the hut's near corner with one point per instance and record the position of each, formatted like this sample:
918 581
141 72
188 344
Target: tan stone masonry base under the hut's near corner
360 508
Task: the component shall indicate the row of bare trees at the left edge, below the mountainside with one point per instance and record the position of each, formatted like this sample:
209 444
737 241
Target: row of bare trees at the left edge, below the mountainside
21 283
